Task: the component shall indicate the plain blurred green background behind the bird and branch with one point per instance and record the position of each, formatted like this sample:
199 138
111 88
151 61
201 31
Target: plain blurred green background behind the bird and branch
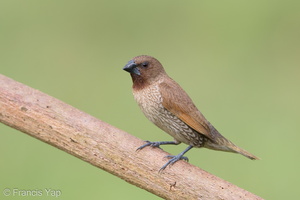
238 60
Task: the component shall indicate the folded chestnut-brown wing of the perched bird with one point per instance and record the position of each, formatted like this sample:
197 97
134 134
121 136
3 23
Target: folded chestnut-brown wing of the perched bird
177 101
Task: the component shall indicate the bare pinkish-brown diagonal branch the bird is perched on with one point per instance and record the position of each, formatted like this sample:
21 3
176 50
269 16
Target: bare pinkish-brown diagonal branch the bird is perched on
106 147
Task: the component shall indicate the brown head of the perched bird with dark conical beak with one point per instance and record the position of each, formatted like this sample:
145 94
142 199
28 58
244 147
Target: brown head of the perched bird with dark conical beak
144 70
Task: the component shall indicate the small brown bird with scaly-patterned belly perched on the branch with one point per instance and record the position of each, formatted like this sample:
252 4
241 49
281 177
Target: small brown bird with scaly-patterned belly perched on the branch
169 107
